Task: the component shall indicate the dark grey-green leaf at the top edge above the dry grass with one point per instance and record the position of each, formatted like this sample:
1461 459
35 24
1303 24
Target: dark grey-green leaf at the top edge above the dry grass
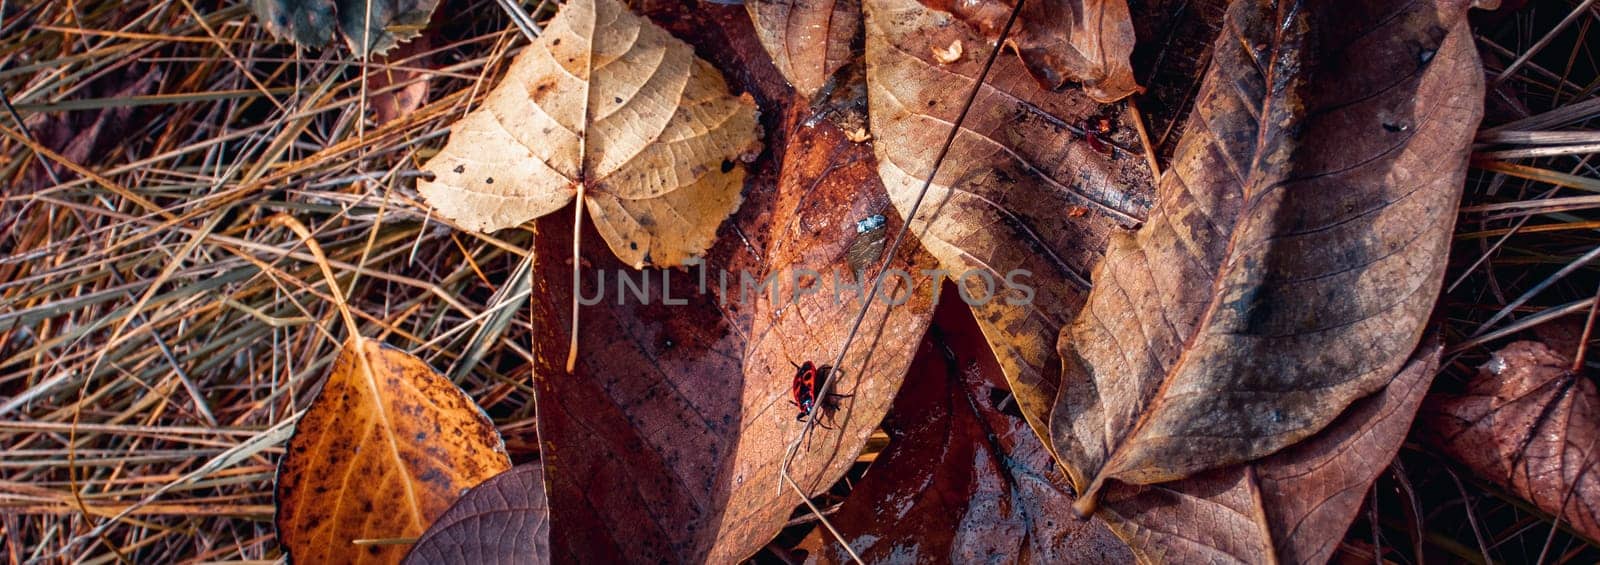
313 23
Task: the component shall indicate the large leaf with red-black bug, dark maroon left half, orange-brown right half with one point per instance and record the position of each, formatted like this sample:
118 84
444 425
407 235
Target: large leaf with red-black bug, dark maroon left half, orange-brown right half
666 441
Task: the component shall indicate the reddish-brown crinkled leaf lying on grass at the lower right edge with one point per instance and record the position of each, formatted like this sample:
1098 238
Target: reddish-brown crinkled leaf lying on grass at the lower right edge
1529 423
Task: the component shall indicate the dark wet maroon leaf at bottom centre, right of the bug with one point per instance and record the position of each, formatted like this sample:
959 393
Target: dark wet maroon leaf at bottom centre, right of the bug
964 479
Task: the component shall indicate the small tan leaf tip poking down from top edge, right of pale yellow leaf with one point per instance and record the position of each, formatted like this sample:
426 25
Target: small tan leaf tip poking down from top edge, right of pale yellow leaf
807 39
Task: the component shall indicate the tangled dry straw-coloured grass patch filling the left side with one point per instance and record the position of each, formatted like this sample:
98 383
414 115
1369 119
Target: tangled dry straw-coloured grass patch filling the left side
167 201
